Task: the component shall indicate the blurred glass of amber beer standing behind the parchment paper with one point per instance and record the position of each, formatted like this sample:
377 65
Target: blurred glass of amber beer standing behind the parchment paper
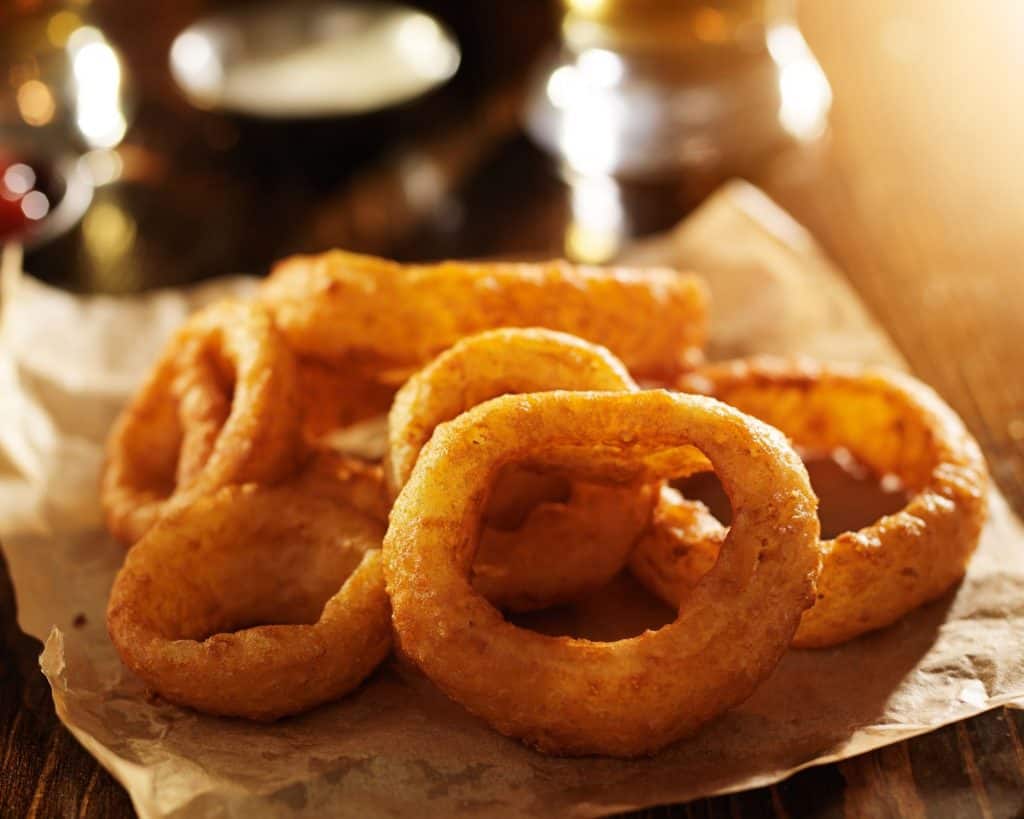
644 92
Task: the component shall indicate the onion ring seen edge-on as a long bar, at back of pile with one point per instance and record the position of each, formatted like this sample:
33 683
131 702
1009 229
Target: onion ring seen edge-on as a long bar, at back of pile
401 317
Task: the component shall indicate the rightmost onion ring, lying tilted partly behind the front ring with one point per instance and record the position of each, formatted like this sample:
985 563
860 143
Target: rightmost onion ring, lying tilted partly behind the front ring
893 424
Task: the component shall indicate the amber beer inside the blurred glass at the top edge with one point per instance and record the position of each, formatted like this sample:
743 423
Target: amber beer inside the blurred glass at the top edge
657 25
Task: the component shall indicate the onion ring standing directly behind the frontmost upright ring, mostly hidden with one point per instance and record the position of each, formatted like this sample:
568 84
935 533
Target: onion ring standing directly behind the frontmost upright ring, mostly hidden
562 550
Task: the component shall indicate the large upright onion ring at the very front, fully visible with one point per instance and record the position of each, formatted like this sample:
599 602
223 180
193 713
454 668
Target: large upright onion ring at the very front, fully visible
575 697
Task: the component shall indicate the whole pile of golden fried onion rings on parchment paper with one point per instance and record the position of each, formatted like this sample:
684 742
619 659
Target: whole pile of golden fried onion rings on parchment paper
274 563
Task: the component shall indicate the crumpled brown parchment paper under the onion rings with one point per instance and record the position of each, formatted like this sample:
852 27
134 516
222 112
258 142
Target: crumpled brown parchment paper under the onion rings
398 748
